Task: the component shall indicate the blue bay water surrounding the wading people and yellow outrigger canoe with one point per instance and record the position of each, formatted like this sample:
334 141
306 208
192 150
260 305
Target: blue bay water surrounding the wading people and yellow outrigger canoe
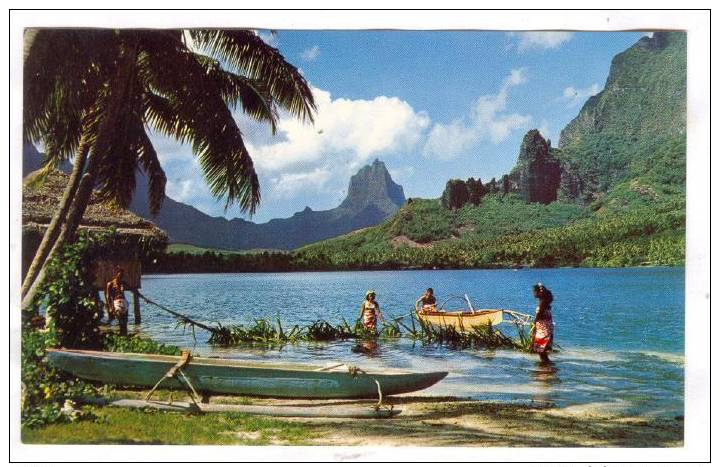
621 330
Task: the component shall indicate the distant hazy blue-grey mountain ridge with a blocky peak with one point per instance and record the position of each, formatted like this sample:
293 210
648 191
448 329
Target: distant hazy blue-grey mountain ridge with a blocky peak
372 197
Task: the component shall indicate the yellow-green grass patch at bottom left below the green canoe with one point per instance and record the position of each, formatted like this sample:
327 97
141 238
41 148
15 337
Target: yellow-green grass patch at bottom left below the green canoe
127 426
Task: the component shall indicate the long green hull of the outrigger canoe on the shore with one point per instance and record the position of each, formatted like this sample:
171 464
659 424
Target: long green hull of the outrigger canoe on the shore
238 377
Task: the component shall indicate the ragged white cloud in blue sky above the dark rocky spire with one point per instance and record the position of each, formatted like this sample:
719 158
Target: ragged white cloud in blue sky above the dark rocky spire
486 121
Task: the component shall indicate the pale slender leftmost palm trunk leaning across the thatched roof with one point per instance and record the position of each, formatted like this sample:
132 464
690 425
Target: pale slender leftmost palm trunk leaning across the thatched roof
58 219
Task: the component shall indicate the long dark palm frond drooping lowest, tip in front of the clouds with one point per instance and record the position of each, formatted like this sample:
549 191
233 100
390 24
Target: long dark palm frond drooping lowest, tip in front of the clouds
192 109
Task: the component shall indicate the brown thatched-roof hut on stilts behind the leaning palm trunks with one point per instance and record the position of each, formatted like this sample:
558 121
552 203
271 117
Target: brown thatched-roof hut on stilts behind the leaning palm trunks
41 197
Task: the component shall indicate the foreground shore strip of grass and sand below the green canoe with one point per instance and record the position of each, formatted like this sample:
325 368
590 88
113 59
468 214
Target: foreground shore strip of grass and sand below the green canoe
424 421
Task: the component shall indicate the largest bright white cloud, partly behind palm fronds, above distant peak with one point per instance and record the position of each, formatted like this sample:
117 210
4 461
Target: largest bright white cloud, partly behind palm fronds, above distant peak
312 162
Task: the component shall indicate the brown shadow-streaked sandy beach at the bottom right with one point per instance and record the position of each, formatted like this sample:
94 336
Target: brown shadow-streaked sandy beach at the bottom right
428 421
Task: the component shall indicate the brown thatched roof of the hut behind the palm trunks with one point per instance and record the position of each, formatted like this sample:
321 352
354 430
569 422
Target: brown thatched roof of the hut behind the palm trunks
41 199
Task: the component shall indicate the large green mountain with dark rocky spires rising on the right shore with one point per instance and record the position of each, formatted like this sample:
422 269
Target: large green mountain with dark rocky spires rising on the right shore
611 194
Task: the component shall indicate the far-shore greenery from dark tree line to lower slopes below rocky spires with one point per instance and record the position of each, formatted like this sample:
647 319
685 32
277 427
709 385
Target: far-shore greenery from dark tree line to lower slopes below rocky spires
633 226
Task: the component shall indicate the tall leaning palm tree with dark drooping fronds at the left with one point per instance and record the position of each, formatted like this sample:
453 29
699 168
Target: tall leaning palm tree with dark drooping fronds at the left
96 94
